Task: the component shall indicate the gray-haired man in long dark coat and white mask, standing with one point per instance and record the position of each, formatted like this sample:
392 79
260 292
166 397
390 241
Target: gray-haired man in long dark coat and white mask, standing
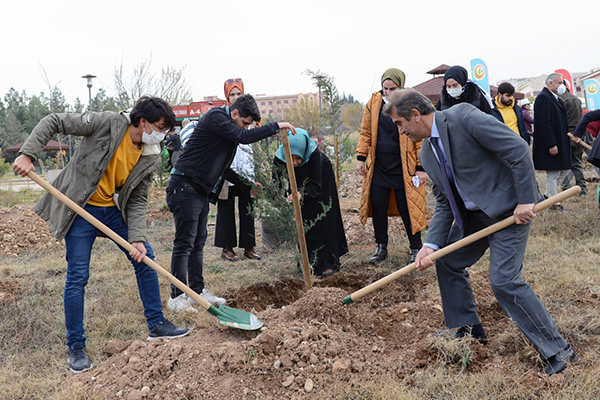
551 145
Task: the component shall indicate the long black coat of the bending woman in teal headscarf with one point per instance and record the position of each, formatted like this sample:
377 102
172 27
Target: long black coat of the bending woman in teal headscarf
326 239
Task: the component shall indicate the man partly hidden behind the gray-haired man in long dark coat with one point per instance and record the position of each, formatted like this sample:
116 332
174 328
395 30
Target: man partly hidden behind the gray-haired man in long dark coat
574 113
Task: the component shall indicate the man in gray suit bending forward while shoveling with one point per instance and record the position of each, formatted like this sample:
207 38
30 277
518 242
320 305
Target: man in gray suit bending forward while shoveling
482 173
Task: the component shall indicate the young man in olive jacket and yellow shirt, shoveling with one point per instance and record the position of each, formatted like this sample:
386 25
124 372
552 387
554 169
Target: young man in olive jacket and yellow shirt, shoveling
110 176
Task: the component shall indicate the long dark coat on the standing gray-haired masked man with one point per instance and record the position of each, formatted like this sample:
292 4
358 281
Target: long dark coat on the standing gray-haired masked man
550 129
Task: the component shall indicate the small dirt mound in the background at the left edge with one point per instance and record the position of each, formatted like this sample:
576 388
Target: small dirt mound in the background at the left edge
23 231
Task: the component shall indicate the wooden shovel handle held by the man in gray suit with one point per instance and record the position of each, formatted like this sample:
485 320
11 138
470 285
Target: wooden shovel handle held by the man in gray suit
459 244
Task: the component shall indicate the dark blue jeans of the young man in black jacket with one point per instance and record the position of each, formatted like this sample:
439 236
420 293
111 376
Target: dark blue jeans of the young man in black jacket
190 213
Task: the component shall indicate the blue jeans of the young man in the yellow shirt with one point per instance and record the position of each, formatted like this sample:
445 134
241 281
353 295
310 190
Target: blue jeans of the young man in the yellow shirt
79 241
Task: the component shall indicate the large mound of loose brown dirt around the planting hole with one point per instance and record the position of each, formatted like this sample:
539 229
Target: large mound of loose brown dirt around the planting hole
310 343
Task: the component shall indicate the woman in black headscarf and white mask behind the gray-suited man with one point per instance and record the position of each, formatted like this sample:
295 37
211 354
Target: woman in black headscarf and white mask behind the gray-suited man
459 89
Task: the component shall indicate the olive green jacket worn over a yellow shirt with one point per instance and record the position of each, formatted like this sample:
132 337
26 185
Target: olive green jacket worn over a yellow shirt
102 134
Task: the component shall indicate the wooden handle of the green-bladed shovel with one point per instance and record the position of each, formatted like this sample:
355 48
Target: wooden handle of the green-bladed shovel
116 238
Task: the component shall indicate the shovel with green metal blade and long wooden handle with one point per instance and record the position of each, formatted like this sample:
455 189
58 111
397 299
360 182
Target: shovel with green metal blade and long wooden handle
227 315
